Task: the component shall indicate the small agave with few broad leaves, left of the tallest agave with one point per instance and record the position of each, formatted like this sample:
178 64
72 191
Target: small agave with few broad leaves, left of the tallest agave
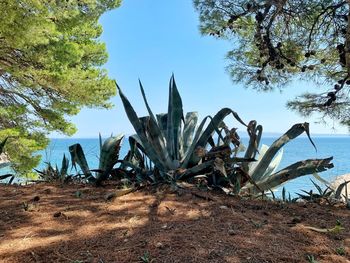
109 154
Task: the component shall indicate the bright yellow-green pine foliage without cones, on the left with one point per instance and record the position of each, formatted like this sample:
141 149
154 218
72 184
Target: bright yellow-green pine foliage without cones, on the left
50 67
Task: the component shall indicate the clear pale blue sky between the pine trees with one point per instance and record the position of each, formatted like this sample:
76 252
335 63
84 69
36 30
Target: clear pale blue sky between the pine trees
150 40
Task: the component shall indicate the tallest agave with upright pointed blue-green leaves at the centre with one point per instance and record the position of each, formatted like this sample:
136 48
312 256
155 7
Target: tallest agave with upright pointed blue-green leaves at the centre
173 142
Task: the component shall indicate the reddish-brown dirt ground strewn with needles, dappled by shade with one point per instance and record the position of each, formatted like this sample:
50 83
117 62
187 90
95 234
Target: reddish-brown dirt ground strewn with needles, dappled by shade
75 223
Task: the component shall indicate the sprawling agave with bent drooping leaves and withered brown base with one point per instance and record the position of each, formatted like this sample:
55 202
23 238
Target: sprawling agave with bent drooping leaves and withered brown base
240 176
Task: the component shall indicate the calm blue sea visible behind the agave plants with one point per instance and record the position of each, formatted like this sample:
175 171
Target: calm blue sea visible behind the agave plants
296 150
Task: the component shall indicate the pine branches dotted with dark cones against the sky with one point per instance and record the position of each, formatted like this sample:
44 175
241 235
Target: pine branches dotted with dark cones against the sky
275 42
